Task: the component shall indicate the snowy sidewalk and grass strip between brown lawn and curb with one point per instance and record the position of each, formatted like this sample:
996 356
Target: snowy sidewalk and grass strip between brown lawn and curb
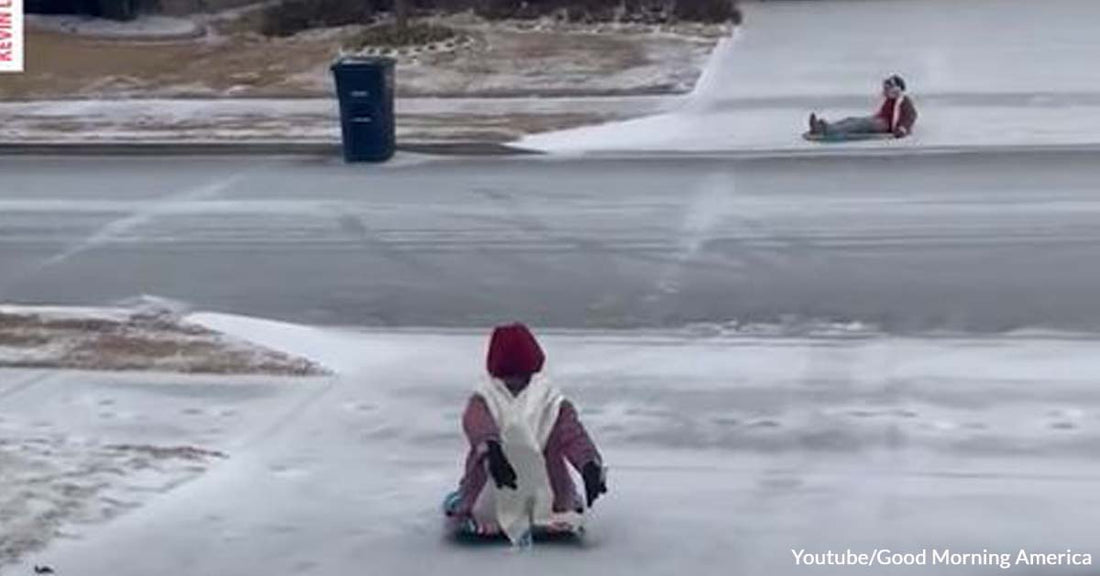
302 121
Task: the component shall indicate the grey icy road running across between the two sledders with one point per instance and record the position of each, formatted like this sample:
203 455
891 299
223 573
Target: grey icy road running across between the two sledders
973 243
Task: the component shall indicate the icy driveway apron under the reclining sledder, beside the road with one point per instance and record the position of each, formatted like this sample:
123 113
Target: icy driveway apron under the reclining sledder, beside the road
777 130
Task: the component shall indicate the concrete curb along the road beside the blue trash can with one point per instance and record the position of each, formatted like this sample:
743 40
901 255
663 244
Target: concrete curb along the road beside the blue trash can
244 149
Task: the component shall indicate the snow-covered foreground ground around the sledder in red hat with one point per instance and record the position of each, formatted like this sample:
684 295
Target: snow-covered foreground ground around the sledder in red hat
727 452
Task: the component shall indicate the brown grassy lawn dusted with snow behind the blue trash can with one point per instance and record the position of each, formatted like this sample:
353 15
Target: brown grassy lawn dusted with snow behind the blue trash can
238 62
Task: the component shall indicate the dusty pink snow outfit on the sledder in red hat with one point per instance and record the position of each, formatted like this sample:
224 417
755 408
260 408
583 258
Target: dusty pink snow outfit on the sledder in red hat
569 442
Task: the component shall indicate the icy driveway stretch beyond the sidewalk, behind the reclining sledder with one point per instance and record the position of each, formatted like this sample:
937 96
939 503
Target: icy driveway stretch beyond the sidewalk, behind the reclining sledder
977 47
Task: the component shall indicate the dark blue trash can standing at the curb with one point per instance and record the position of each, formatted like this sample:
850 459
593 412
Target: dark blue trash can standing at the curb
366 88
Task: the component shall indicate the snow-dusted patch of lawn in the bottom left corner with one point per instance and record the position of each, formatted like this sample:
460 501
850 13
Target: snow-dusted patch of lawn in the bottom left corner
79 450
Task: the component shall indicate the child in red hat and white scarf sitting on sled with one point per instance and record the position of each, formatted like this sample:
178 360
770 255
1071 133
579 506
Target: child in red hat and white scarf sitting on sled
518 409
